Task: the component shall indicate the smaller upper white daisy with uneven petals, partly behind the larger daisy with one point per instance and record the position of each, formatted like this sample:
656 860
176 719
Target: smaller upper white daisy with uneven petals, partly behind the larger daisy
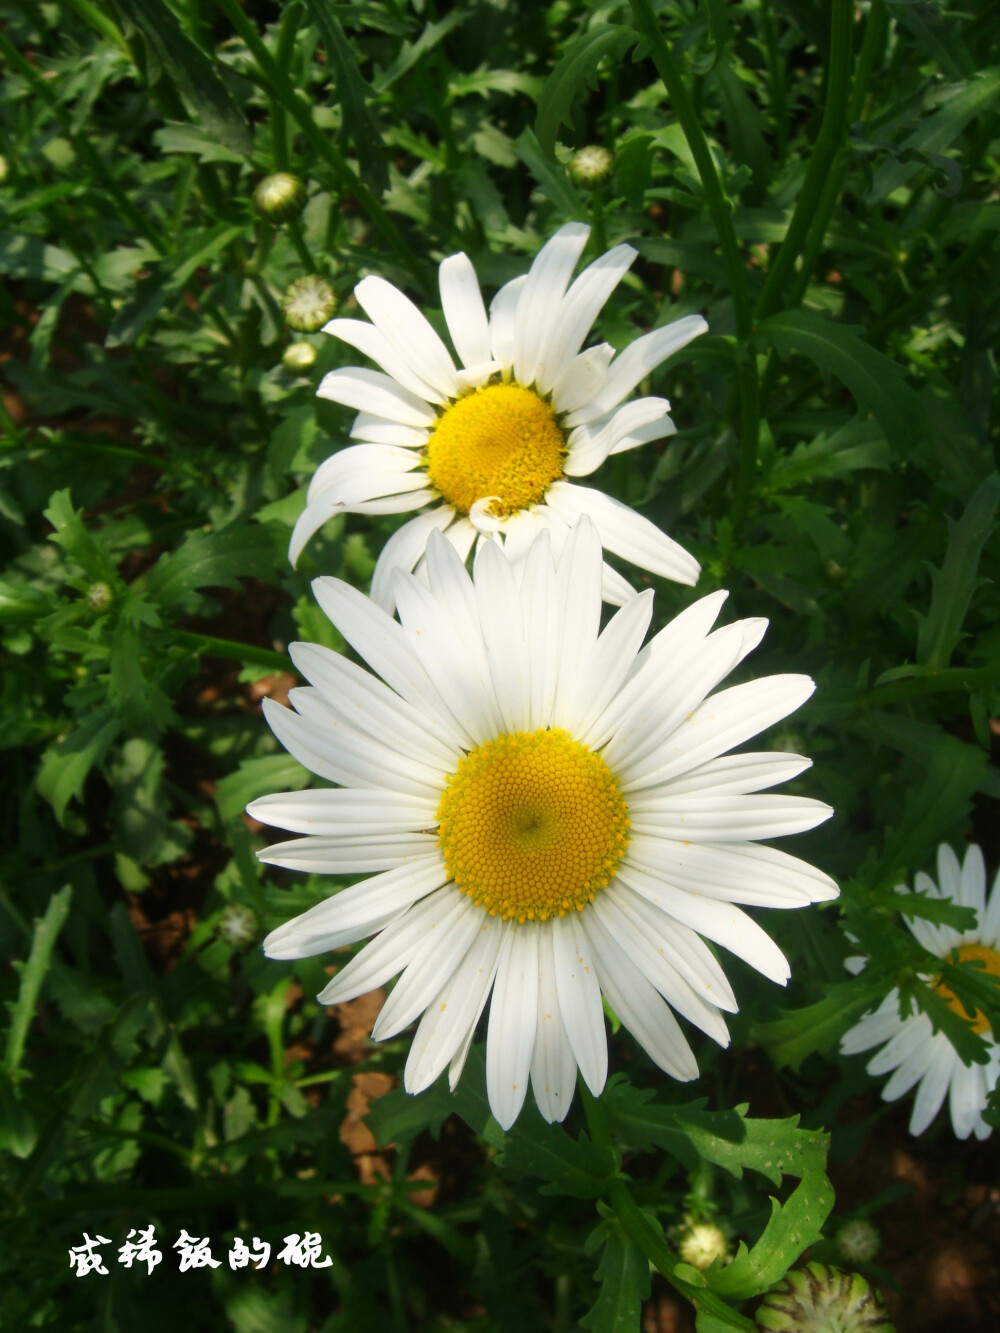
491 447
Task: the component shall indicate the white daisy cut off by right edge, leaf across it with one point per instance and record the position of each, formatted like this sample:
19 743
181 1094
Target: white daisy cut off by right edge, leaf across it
914 1051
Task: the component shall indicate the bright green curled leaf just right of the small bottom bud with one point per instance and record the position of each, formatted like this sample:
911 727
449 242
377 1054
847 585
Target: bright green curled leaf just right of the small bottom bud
793 1228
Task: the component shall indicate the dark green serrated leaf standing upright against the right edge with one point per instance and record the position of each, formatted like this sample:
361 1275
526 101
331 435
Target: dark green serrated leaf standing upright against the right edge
957 581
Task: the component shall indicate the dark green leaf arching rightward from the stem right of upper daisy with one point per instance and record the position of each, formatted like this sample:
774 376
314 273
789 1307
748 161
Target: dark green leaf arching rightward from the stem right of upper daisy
875 381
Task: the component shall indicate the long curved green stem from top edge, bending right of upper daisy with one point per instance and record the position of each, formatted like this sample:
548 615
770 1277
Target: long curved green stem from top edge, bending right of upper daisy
721 209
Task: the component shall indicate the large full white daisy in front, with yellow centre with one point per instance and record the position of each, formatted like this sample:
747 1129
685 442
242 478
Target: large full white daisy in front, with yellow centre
545 811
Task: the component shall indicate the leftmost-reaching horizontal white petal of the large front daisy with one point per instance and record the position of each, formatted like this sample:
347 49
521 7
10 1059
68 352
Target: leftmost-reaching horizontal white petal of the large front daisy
337 811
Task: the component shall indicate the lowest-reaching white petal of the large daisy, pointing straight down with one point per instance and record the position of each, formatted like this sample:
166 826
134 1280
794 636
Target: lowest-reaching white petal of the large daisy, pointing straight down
513 1022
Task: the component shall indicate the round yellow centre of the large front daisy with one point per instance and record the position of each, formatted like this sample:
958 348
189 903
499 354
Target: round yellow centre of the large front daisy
531 826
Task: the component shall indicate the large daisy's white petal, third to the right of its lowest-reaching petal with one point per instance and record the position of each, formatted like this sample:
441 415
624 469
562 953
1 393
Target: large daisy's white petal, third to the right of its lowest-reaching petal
639 1006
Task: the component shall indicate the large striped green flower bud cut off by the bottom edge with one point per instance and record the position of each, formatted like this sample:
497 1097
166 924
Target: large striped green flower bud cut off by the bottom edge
818 1299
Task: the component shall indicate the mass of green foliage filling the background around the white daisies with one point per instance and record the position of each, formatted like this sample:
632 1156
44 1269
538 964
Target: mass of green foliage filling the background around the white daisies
823 186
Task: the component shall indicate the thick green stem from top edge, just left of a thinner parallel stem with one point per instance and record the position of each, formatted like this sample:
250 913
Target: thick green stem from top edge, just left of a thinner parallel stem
829 143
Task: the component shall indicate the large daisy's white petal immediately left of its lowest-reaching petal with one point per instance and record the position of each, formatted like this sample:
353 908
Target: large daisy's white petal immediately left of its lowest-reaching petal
455 1011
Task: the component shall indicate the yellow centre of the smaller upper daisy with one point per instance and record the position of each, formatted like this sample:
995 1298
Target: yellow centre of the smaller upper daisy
502 441
